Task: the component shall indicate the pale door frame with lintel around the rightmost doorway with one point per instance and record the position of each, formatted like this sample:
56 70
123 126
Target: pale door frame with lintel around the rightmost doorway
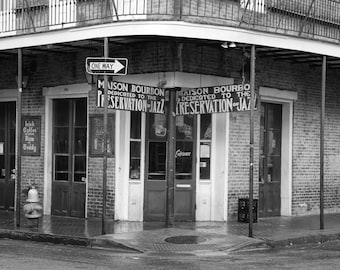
286 99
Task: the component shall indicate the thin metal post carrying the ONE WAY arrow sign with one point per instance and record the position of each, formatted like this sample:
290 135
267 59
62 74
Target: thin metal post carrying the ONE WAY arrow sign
106 55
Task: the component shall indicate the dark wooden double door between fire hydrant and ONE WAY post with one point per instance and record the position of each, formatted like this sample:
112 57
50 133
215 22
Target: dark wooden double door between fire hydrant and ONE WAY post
69 157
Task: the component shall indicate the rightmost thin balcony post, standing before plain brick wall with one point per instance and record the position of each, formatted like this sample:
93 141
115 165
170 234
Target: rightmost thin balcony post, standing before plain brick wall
322 132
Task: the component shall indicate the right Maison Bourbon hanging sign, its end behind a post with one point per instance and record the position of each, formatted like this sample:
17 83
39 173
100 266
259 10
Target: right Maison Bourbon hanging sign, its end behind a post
215 99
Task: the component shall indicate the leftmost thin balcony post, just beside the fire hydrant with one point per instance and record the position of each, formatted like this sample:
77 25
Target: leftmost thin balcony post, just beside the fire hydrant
18 169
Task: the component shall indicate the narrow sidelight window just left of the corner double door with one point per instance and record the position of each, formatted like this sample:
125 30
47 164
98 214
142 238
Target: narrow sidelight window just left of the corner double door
135 146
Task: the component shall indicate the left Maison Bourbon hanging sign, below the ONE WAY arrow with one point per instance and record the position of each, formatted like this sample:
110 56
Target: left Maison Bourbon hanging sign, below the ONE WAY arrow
131 97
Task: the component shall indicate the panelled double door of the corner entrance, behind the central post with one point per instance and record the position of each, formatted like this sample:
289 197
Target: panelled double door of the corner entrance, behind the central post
157 170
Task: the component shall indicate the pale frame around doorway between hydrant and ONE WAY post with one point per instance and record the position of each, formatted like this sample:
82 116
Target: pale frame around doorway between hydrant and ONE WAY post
59 92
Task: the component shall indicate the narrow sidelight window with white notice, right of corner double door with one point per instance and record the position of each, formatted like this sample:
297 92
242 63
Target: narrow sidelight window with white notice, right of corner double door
205 146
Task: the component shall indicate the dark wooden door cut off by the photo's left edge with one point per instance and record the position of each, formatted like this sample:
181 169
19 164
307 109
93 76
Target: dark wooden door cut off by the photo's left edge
7 154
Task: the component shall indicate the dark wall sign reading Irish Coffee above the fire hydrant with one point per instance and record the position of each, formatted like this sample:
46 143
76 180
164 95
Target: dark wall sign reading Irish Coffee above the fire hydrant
30 139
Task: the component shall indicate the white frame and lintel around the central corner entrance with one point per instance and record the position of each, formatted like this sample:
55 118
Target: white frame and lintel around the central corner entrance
209 193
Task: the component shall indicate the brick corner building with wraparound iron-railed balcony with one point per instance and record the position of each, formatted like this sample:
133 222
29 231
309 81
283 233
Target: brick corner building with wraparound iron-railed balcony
178 136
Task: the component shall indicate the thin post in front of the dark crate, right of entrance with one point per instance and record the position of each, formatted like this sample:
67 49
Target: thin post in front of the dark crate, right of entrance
251 165
